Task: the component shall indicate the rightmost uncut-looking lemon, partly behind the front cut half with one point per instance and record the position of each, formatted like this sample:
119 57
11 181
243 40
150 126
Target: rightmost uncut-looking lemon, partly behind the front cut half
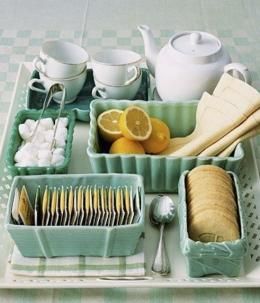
159 138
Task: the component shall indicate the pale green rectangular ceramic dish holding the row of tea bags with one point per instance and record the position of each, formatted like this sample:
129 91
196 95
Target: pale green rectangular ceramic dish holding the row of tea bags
51 241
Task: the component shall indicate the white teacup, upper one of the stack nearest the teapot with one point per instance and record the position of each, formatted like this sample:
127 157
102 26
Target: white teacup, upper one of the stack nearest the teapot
116 66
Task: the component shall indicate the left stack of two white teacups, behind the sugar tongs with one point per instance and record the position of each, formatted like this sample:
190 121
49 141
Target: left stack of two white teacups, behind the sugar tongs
60 62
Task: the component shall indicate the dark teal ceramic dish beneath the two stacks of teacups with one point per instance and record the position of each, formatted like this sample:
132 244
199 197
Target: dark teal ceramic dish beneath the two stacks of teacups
82 103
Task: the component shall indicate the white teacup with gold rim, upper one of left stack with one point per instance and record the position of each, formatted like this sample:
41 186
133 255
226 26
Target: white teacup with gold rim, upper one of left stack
61 59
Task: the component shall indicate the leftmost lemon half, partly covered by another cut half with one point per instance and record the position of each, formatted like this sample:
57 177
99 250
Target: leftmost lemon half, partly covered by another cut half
108 125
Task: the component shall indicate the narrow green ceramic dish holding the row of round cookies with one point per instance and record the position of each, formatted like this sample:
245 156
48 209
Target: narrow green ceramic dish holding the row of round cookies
202 259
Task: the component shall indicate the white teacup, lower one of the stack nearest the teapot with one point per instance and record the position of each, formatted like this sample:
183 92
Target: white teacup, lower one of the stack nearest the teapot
127 91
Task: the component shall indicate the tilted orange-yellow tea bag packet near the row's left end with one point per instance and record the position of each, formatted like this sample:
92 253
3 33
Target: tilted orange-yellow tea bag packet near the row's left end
25 211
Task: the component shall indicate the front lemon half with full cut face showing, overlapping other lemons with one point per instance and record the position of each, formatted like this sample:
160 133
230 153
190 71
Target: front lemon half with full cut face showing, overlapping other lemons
135 124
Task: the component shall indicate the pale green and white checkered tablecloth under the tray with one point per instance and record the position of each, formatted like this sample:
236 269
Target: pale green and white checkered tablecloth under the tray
235 22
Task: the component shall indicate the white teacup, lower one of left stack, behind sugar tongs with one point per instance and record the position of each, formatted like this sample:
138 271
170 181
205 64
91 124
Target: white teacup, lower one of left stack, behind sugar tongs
72 85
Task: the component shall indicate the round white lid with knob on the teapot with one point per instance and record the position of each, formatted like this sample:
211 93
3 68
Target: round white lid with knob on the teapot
195 46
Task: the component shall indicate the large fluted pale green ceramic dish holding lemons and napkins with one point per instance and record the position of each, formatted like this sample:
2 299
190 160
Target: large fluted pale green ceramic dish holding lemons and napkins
161 173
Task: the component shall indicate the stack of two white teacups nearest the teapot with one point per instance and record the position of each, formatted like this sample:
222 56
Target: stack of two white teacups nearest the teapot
117 74
